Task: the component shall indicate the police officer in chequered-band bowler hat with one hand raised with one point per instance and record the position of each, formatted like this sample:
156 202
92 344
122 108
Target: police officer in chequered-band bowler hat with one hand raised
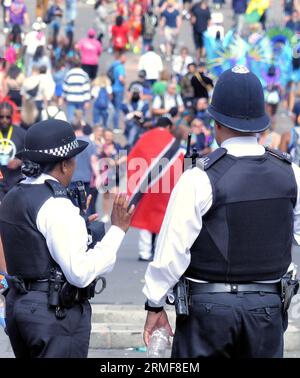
45 242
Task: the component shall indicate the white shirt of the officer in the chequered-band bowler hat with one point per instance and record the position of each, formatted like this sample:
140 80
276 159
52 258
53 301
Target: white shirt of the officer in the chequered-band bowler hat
65 232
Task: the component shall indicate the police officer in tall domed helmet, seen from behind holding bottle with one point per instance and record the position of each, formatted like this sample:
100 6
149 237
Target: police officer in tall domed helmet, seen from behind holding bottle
228 230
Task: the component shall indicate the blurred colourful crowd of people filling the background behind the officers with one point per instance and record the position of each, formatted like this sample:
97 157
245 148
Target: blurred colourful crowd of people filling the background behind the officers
47 72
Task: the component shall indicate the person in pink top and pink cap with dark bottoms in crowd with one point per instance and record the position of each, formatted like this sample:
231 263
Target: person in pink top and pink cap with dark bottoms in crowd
90 50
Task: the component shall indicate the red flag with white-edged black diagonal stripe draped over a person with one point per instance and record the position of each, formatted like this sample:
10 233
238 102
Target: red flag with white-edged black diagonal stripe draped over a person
154 166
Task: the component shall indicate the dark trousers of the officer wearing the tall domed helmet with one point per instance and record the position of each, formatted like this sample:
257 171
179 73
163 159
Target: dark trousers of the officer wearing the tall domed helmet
243 325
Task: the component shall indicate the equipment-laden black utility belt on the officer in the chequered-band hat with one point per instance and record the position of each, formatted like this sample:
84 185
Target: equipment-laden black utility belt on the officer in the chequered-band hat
61 294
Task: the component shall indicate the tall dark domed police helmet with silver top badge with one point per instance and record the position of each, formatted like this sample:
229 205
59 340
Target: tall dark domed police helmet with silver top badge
238 101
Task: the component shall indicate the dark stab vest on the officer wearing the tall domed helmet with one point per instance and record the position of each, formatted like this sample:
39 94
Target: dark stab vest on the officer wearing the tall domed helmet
247 233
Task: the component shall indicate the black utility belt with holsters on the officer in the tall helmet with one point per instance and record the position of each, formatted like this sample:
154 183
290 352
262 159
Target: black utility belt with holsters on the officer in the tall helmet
287 287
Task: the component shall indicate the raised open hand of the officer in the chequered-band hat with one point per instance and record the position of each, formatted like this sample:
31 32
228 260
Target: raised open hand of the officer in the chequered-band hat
121 216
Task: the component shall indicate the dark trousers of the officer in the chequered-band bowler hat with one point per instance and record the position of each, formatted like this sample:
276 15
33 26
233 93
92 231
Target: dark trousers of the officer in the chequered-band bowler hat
34 331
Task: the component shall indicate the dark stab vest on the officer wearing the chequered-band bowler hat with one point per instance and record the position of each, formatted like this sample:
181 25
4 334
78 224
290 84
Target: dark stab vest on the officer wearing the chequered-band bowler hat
25 248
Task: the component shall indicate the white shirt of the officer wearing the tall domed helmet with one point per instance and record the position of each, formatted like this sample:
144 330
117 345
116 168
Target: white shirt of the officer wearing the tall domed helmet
189 202
